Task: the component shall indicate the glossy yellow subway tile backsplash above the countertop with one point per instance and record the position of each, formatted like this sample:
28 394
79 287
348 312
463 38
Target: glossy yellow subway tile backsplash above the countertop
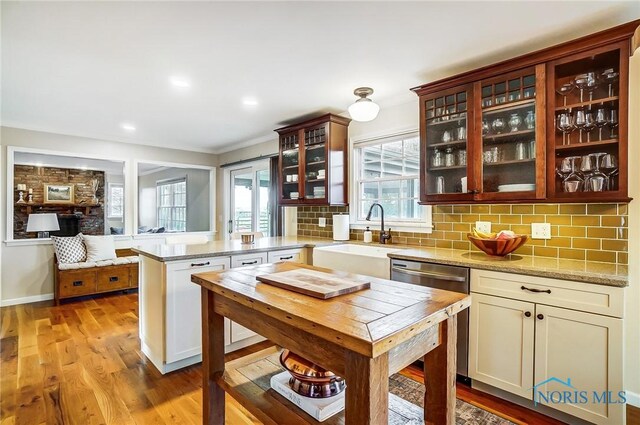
595 232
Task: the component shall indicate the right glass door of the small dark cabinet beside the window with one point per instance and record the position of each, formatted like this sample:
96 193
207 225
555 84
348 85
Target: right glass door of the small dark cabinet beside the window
315 163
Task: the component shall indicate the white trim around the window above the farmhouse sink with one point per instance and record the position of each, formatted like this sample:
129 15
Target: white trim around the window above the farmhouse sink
355 222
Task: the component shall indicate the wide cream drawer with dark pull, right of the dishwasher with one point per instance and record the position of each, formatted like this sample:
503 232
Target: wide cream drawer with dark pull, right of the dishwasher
581 296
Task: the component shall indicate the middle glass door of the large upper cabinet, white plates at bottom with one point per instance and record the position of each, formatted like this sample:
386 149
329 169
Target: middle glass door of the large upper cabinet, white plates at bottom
511 127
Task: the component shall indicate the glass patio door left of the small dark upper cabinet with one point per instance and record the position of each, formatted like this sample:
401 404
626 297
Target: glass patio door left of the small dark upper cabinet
249 209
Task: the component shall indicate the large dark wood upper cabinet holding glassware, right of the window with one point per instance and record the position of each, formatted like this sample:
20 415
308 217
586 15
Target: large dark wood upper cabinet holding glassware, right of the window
509 133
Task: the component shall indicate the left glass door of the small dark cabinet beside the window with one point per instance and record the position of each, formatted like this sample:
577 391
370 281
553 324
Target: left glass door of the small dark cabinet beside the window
290 154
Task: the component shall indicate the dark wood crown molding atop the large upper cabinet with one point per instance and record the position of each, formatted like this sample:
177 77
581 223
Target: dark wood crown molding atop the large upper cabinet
620 33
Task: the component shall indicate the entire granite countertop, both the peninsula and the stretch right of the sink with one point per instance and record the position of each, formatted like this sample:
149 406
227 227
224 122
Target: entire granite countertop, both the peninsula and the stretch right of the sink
576 270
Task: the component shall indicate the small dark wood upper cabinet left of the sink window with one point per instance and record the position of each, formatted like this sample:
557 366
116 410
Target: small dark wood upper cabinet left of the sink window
314 162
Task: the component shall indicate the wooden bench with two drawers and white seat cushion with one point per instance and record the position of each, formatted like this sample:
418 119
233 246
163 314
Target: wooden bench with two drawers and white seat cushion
94 277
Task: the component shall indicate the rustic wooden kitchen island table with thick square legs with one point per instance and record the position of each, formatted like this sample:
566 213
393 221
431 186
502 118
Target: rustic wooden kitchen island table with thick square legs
364 337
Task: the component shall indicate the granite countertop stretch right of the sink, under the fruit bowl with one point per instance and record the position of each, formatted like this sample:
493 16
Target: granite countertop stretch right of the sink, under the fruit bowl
576 270
